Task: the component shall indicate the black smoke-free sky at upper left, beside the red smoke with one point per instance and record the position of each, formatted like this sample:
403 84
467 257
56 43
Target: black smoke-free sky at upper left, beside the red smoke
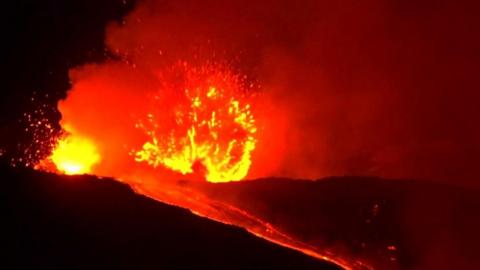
41 41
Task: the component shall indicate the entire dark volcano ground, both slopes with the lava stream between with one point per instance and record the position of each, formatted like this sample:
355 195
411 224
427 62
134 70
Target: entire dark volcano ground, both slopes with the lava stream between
83 221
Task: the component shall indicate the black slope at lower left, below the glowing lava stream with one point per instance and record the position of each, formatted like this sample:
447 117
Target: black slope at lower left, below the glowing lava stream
54 222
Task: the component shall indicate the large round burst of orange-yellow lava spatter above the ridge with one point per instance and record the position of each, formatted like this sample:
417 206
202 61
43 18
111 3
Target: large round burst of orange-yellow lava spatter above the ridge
211 127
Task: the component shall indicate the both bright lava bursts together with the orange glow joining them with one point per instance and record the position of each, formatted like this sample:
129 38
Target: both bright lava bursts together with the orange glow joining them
196 121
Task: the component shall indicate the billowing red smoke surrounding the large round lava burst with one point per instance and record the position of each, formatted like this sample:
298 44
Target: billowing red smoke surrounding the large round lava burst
375 87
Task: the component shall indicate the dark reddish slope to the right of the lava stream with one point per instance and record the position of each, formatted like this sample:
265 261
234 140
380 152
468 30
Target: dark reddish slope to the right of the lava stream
391 224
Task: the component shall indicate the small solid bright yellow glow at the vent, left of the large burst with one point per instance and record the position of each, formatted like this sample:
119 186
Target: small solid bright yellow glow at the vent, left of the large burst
74 155
